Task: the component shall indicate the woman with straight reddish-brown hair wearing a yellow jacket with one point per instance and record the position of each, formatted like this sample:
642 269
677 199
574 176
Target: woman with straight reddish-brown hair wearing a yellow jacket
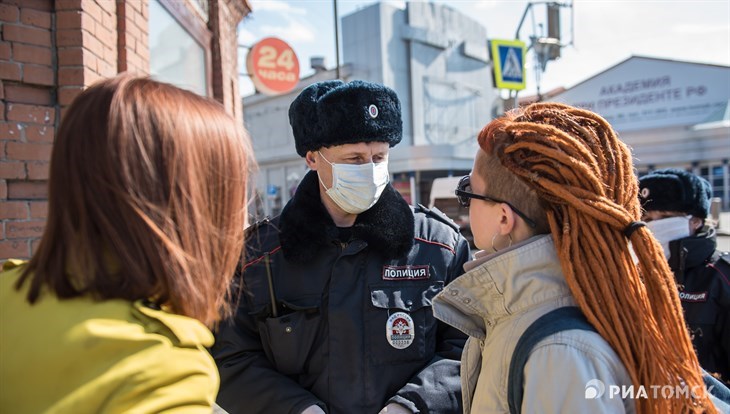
145 228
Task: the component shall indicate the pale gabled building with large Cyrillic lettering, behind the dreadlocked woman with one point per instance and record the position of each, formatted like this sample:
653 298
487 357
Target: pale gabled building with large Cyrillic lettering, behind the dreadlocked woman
671 114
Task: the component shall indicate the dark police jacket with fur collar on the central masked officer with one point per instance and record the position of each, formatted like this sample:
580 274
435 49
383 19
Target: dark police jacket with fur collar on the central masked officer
311 324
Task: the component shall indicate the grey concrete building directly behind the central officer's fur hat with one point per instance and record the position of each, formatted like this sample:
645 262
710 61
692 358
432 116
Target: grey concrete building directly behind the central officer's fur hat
437 61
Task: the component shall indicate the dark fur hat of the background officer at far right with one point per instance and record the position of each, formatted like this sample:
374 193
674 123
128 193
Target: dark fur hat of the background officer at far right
672 189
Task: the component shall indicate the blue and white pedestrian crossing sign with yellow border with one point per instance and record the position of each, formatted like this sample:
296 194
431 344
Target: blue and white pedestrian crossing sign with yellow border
508 63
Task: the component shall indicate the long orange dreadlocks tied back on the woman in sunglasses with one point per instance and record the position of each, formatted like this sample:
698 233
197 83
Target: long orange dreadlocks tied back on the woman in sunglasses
584 177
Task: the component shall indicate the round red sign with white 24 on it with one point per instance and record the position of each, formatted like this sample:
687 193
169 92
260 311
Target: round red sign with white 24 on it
273 66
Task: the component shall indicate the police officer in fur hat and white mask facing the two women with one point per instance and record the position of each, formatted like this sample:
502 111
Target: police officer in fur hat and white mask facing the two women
336 316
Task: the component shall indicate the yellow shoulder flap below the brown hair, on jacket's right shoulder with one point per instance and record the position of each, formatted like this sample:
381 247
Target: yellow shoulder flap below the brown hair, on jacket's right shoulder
187 332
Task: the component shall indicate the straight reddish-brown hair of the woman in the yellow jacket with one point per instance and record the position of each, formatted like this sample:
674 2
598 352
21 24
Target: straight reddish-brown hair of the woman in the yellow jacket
146 200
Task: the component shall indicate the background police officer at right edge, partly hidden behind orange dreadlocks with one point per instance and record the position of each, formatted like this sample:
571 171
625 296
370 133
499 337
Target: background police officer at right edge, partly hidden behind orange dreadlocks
676 205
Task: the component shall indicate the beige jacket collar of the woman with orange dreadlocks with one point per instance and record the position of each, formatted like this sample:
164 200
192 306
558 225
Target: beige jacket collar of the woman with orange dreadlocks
504 283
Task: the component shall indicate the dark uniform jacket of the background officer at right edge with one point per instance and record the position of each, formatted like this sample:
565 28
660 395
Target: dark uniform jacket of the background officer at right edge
703 278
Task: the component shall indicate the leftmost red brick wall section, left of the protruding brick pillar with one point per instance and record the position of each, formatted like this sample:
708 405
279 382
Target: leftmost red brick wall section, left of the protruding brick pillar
28 118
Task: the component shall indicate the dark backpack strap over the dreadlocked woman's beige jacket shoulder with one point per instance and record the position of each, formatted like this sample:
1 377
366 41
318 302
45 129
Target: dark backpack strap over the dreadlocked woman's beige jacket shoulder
561 319
